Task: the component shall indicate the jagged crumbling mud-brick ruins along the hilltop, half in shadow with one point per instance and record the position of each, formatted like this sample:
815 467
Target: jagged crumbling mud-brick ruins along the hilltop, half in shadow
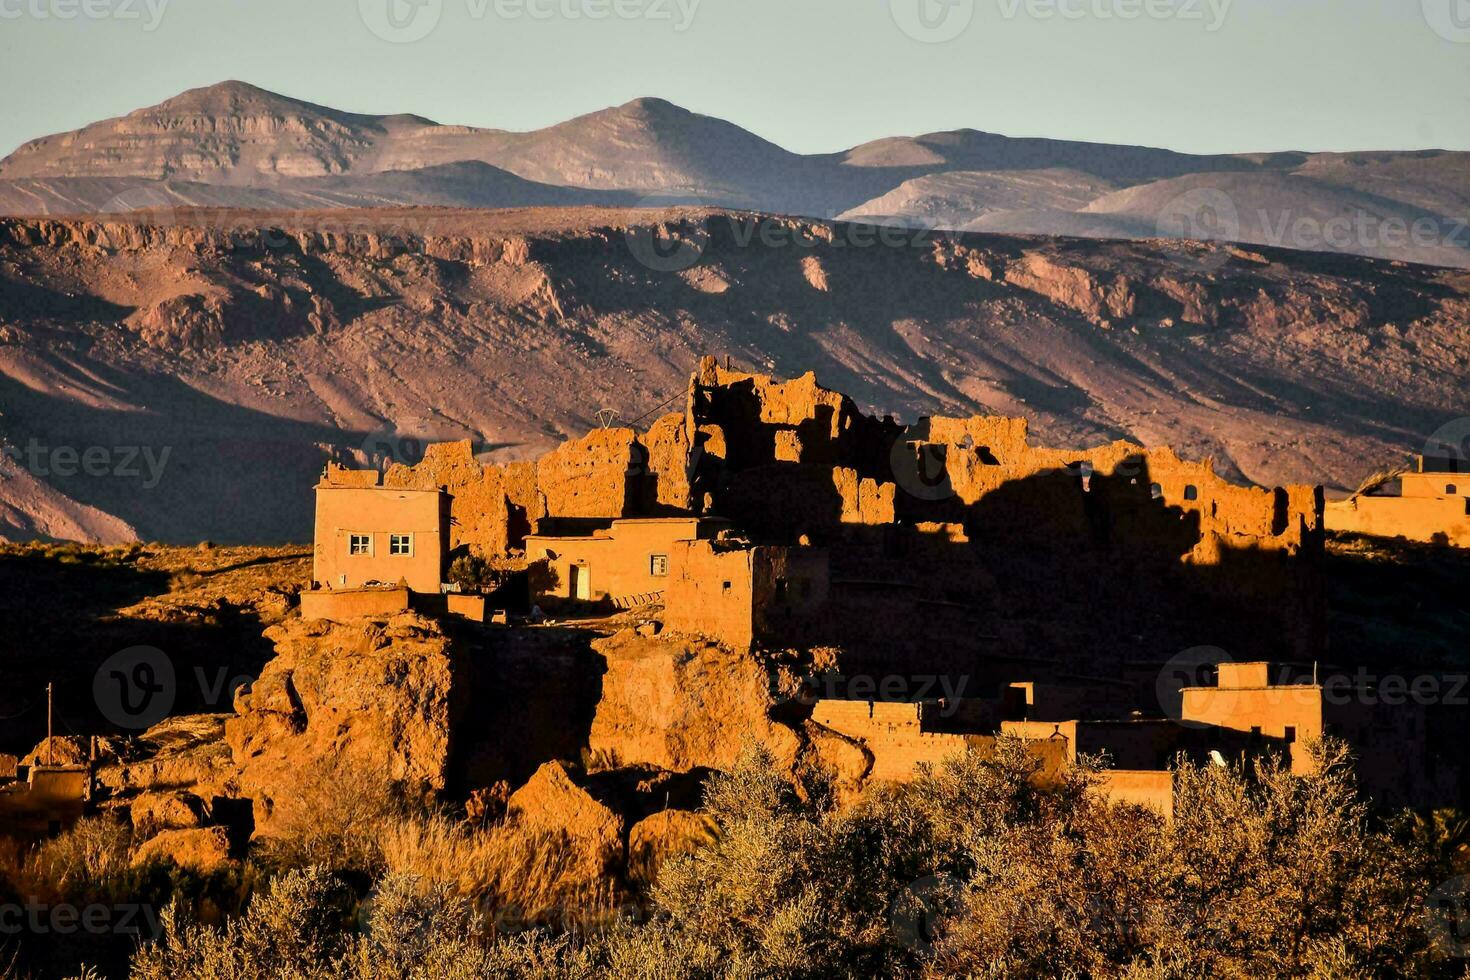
1116 552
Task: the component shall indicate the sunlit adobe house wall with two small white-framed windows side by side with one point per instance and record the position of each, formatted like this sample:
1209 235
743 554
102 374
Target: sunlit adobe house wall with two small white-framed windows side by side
354 509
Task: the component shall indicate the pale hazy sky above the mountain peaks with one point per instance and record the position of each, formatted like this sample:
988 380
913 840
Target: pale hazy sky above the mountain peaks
814 76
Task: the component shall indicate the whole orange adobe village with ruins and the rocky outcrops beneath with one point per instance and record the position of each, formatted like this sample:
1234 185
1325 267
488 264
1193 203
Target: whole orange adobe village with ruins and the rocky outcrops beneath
774 566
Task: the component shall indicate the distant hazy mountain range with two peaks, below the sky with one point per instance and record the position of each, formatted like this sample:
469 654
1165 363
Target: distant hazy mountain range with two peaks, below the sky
239 146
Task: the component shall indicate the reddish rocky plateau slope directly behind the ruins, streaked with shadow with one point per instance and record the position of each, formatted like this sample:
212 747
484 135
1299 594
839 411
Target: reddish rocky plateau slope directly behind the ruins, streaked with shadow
186 375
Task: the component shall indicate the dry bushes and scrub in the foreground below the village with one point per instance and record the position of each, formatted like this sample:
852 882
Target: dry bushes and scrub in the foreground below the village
980 868
